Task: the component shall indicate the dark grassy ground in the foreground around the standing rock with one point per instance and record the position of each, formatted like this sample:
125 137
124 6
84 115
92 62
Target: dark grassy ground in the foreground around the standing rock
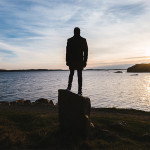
37 127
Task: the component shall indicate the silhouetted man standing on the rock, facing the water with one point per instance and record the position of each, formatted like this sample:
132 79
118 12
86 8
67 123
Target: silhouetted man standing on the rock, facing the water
76 57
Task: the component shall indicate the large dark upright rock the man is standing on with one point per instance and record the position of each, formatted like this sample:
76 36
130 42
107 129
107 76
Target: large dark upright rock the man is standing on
74 113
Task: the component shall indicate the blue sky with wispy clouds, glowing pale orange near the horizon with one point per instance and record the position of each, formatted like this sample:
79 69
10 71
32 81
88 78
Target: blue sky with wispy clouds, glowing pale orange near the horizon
34 33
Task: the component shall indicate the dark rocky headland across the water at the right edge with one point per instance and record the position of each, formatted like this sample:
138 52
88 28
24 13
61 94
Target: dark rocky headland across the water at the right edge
139 68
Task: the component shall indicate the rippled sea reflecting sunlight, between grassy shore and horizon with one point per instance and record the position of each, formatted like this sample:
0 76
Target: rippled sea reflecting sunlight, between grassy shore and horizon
104 88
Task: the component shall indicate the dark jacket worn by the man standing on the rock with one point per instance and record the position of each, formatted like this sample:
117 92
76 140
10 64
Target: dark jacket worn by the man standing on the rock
76 50
